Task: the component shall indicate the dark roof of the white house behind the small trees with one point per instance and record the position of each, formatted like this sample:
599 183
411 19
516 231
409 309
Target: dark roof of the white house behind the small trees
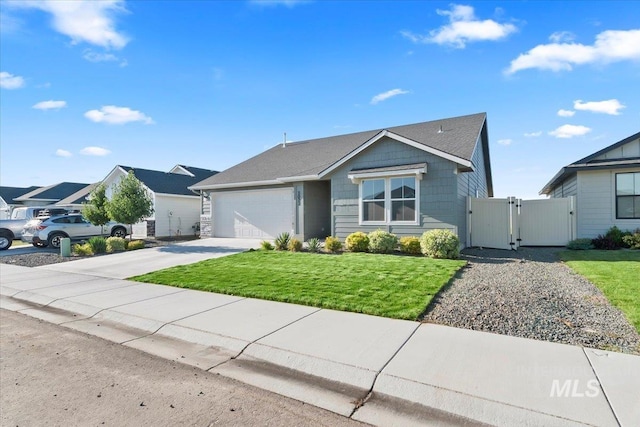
170 183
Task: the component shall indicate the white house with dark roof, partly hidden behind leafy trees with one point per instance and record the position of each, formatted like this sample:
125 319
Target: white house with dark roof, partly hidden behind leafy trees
176 208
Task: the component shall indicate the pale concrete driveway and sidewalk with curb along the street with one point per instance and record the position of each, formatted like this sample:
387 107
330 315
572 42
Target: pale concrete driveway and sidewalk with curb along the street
378 370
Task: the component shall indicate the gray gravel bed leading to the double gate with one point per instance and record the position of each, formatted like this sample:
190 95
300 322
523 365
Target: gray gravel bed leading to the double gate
529 293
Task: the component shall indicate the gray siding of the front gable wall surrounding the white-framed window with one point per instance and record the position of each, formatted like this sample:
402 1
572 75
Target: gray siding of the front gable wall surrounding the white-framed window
438 190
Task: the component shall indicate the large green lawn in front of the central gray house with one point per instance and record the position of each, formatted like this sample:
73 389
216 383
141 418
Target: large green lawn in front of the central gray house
383 285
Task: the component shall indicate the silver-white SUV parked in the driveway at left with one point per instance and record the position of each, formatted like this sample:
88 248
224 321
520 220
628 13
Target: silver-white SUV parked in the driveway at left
50 231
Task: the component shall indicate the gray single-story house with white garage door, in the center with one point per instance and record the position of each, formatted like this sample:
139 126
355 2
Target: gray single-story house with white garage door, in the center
404 179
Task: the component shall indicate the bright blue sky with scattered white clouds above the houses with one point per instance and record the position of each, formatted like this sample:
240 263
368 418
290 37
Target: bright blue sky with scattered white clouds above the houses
86 85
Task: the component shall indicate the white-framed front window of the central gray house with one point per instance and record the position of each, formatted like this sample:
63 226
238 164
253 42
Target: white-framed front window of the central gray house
389 200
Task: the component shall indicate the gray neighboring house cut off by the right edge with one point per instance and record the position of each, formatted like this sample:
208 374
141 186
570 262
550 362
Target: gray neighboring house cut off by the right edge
607 188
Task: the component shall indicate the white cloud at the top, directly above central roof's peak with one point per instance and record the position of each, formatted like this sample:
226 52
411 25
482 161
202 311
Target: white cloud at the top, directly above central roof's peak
463 28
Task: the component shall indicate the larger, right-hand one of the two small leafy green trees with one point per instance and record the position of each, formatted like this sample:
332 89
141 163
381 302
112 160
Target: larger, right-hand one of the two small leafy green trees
130 202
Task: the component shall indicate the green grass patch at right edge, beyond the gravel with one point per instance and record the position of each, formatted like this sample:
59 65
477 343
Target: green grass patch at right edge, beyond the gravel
615 273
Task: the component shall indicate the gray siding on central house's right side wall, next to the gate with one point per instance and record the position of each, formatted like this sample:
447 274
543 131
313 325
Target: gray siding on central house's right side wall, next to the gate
471 184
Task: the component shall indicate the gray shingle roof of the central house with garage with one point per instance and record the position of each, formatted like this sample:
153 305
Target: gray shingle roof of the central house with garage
310 158
